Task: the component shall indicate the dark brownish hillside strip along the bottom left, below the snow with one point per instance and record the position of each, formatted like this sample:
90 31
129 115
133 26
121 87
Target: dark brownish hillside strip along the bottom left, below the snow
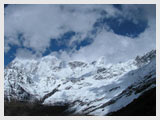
32 109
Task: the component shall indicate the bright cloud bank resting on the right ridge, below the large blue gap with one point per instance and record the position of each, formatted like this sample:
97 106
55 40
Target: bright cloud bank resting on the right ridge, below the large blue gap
116 48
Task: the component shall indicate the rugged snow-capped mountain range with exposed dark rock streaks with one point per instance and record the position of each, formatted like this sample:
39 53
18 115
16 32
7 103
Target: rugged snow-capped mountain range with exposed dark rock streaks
92 88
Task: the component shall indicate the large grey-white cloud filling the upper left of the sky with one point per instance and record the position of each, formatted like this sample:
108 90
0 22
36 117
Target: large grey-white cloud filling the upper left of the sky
40 23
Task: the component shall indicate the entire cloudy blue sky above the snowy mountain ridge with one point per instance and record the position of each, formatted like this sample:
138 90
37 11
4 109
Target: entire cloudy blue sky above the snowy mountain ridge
79 32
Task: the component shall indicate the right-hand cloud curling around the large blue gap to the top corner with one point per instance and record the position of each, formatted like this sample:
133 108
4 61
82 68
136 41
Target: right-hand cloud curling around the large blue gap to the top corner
121 48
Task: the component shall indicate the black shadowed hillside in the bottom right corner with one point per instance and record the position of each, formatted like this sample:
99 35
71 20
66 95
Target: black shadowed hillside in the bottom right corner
145 105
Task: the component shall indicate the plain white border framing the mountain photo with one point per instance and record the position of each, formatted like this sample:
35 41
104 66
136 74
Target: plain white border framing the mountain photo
157 2
